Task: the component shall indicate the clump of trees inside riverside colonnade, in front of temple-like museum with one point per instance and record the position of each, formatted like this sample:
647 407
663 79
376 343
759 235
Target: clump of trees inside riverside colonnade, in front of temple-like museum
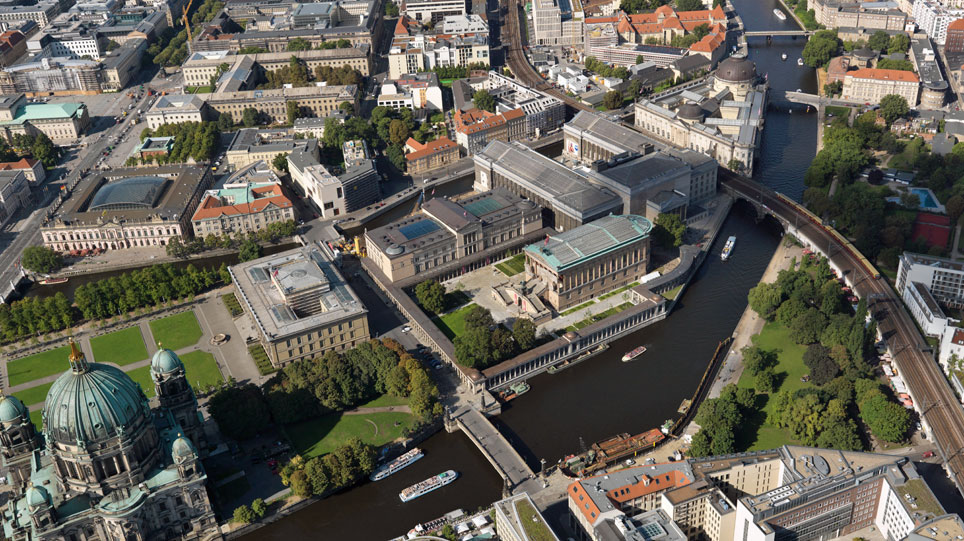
483 343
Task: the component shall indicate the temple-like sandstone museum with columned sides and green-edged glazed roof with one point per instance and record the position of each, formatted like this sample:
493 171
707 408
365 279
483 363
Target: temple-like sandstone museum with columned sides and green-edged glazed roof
590 260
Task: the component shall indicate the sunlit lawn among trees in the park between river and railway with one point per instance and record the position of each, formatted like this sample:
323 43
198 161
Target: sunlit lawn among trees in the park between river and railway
790 368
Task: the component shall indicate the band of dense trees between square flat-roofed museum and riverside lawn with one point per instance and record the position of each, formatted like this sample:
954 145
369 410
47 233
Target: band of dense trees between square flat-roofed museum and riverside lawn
328 384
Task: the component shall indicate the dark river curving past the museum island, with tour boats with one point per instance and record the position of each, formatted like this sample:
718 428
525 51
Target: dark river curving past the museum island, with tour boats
603 396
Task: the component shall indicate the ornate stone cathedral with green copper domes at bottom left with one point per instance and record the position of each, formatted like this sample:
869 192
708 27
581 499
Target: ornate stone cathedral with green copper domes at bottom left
118 468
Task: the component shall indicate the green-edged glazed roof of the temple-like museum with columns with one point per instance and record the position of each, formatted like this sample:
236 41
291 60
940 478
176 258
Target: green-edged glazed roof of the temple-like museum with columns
590 240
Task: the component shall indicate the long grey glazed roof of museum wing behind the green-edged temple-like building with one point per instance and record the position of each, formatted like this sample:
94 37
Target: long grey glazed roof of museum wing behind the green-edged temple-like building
566 189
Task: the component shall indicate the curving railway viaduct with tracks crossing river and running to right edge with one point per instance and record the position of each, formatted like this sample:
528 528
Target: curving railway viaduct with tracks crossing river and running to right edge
940 412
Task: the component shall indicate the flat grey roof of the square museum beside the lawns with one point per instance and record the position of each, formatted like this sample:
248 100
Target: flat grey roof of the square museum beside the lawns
263 284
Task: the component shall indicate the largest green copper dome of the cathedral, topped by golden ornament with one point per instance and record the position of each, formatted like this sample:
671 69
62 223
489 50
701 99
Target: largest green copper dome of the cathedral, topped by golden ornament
92 402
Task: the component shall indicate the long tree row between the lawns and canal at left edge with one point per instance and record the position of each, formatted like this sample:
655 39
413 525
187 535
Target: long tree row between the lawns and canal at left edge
106 298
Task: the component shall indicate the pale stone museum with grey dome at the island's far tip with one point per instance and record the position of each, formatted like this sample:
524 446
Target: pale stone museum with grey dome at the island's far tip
721 117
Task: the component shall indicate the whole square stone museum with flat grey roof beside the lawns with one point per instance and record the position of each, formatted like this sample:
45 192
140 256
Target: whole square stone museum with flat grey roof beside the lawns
301 304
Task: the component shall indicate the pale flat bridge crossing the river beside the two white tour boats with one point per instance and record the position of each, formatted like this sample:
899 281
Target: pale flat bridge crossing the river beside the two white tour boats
516 474
